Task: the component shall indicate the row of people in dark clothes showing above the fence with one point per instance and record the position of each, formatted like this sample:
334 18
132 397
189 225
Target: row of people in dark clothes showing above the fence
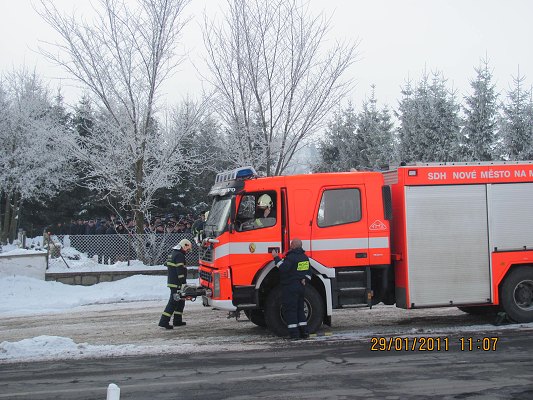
113 225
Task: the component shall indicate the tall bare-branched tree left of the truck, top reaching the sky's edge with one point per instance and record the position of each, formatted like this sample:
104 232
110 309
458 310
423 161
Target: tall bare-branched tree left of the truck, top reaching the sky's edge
122 57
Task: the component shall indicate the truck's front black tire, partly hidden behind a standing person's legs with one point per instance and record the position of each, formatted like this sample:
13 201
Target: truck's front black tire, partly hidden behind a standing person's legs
314 310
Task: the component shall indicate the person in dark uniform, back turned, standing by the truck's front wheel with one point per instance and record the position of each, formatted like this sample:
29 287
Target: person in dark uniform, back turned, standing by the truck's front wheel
294 271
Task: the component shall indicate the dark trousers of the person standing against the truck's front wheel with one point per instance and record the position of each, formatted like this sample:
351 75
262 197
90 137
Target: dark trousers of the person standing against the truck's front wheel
293 308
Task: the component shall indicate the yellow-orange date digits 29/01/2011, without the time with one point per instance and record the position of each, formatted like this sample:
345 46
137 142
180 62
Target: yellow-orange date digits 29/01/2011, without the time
414 343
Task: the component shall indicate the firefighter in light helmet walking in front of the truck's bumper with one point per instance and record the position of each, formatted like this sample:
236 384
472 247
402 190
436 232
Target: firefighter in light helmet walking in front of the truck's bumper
177 276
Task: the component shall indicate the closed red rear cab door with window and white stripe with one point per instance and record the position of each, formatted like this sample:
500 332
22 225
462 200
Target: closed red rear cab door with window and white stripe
339 234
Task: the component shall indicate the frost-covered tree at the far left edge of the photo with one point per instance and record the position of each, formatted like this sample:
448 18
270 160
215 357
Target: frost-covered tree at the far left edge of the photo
33 163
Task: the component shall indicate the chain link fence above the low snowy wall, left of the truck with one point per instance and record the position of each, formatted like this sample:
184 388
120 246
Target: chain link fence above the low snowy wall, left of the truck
150 249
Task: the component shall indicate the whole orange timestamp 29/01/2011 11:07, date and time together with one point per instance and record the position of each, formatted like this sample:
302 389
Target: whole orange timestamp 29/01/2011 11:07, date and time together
433 343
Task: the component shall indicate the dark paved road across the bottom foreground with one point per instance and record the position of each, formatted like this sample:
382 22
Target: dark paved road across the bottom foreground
322 368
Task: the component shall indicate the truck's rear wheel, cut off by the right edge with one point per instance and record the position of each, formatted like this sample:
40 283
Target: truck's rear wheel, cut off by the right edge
517 294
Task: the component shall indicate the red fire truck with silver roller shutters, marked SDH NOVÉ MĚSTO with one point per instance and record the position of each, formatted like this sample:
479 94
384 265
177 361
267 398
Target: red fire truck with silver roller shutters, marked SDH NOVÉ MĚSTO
432 235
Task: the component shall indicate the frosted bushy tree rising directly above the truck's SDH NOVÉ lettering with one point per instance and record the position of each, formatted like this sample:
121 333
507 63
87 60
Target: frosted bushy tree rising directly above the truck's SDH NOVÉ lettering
429 121
